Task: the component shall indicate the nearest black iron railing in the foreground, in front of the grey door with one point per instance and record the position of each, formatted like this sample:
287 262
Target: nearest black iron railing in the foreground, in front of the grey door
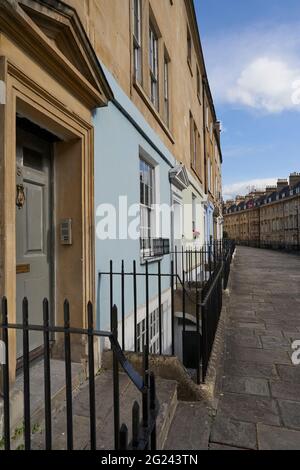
144 430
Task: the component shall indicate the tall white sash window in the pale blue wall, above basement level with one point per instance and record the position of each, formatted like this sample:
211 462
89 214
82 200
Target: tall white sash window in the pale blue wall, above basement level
146 204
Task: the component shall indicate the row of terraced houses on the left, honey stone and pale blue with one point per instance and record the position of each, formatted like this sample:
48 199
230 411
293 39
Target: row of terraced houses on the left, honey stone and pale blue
106 116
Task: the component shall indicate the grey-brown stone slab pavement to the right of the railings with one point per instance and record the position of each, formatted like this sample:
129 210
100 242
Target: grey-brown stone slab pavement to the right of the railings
258 401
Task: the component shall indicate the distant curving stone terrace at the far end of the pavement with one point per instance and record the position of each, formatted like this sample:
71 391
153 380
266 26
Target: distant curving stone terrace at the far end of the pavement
271 218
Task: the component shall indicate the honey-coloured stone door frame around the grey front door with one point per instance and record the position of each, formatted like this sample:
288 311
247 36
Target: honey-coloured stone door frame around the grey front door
37 105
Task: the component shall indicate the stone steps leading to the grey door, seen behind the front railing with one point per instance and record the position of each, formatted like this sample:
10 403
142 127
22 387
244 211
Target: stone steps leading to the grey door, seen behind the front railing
167 396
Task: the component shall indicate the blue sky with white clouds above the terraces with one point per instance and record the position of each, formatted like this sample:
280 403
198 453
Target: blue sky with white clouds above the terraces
252 55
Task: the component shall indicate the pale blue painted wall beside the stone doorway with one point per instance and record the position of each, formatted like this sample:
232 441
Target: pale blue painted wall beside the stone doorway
117 144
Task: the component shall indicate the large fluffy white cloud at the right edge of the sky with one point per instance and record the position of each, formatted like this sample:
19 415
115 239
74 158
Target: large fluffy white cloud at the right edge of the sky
256 68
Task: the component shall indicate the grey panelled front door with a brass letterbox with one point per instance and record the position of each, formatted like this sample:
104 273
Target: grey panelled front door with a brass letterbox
33 231
